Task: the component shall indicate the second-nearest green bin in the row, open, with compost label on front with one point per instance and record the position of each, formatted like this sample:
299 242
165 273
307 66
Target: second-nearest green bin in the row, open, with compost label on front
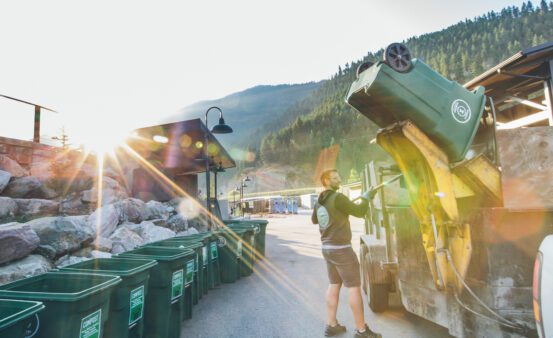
76 304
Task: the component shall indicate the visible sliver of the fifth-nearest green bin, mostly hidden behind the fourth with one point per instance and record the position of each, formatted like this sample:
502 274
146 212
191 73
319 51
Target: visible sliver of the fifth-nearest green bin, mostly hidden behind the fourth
189 272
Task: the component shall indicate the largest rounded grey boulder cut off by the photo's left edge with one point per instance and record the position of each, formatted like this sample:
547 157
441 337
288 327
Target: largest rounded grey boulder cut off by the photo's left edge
16 241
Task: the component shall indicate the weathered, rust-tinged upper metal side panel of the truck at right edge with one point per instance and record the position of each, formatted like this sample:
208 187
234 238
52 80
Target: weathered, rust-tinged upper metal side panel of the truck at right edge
526 157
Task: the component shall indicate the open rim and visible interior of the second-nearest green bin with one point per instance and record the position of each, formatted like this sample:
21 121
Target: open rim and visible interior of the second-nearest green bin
59 286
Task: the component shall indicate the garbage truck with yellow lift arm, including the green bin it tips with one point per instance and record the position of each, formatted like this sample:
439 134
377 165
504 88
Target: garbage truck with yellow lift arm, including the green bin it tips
466 197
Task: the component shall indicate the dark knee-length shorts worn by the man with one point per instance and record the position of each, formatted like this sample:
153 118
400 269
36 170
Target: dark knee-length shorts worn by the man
343 267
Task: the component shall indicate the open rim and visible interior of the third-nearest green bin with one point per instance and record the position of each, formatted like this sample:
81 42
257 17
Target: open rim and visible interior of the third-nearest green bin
112 266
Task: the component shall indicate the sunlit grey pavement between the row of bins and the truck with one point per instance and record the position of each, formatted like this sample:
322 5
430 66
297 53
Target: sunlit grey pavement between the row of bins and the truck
285 296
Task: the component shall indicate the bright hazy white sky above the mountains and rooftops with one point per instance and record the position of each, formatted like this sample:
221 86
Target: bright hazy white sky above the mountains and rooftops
113 65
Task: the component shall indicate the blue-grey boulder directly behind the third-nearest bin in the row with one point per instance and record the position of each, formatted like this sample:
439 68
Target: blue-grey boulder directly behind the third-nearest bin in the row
63 234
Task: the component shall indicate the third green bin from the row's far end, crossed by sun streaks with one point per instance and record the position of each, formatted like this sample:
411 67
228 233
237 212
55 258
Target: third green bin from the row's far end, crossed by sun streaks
231 254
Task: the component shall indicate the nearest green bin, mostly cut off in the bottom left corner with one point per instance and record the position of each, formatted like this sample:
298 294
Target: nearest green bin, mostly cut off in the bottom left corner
18 319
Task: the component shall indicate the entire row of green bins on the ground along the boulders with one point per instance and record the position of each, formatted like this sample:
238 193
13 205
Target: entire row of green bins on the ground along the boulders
110 297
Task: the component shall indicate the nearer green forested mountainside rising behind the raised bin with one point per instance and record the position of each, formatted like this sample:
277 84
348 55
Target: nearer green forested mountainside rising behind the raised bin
459 52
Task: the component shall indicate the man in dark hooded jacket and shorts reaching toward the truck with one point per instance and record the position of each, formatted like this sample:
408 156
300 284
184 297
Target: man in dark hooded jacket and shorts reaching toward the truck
332 212
